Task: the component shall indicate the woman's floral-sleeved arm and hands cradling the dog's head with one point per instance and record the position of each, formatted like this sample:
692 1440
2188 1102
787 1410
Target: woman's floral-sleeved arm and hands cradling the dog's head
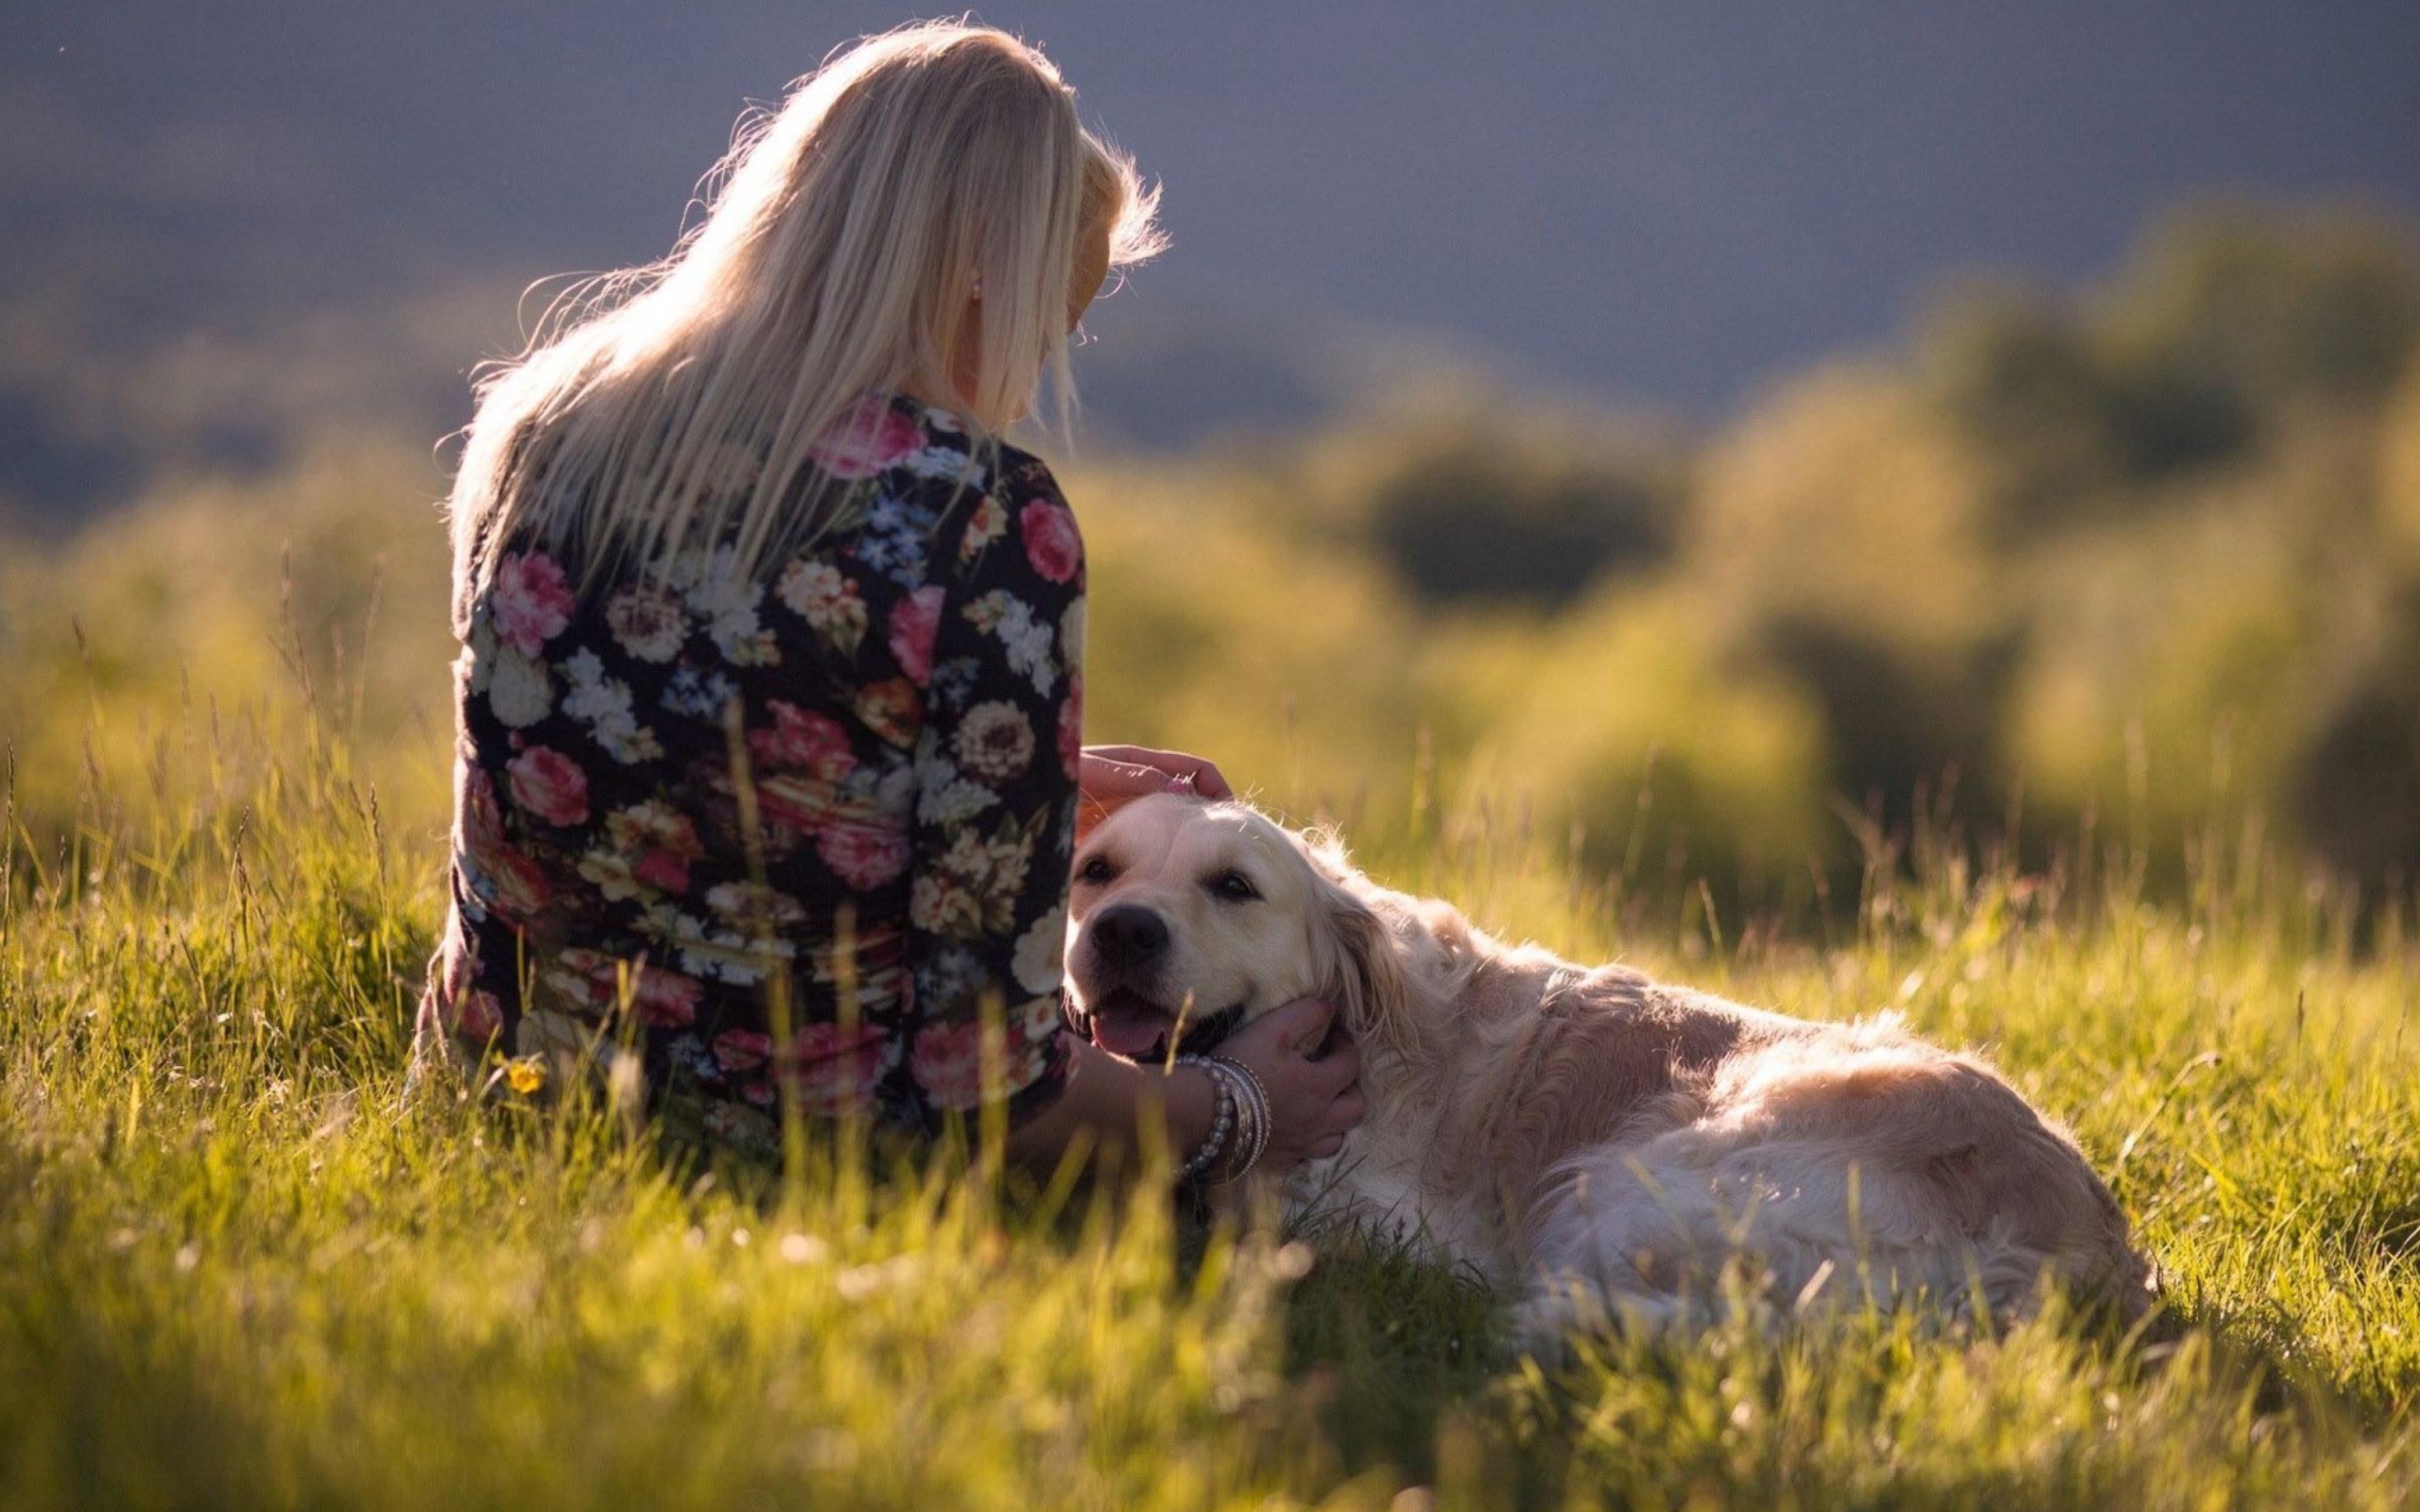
993 841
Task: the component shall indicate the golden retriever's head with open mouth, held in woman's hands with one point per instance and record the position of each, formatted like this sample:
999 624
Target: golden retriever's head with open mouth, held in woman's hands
1192 918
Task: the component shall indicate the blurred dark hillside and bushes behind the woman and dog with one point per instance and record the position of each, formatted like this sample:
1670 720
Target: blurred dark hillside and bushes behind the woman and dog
1705 444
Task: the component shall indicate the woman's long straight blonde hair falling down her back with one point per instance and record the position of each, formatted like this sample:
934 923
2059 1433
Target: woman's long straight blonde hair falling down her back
679 403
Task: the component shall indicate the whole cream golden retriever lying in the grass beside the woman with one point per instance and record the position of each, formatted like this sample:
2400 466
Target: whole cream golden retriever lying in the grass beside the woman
1606 1141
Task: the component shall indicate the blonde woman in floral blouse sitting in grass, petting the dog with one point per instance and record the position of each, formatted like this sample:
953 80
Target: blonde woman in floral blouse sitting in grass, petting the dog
771 698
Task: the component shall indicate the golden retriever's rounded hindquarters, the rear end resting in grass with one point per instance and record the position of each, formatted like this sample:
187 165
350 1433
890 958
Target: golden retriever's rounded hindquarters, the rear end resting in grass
1840 1162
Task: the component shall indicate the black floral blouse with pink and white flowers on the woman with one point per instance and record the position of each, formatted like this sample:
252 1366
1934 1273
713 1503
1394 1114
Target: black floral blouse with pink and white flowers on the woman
802 833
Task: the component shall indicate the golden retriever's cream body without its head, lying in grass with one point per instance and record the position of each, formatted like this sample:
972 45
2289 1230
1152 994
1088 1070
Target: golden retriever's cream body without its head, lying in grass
1625 1141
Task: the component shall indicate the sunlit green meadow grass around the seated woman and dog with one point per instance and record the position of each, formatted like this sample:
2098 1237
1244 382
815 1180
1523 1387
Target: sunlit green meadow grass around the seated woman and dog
246 1266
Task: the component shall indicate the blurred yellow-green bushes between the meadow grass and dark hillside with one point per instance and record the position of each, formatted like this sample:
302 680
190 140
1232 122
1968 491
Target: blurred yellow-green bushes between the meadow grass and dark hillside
2145 558
